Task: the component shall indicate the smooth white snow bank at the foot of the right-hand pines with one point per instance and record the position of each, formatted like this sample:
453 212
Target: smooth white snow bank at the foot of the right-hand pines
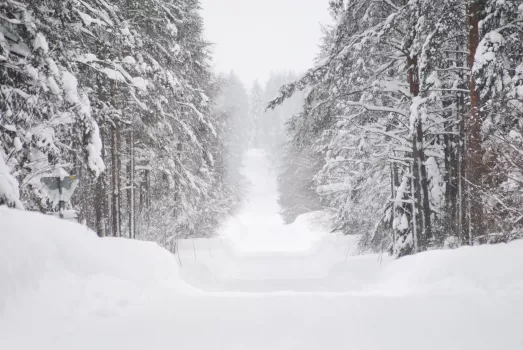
482 269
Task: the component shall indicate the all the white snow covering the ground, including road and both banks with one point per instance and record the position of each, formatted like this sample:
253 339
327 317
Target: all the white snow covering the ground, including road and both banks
63 288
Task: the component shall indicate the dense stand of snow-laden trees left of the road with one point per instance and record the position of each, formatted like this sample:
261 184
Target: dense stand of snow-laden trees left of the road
121 94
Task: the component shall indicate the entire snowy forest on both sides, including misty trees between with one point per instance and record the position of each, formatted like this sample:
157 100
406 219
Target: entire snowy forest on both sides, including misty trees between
408 126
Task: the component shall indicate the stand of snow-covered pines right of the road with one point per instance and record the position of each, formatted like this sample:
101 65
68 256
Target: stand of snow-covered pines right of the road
410 106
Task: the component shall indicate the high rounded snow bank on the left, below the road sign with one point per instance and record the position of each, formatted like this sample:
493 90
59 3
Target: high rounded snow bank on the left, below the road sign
44 260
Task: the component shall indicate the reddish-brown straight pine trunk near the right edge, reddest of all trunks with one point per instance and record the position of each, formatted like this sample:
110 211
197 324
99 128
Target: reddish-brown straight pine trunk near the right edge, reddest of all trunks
474 149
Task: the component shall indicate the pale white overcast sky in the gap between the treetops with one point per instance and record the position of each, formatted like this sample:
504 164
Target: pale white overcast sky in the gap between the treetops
255 37
